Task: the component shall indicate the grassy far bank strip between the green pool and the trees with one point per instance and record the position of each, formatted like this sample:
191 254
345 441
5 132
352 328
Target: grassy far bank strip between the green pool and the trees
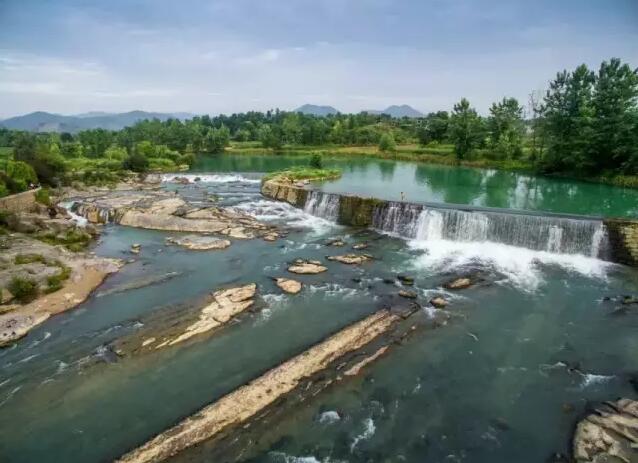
441 155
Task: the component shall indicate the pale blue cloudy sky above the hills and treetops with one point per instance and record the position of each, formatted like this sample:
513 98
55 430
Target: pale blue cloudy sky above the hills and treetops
225 56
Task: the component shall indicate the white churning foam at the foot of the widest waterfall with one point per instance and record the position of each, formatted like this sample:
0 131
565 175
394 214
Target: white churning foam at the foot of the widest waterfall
521 266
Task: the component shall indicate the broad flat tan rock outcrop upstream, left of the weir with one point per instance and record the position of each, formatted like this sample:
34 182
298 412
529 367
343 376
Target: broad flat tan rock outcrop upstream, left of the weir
165 211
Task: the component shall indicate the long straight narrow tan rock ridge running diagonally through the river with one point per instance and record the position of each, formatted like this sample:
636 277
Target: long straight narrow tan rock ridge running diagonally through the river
239 406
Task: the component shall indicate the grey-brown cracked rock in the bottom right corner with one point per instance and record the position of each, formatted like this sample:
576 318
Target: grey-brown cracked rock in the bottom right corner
610 434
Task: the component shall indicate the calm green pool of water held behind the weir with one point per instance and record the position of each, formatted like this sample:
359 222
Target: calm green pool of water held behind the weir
457 185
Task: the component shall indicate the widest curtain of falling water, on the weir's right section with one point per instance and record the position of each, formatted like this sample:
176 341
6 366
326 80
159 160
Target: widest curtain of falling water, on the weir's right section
551 233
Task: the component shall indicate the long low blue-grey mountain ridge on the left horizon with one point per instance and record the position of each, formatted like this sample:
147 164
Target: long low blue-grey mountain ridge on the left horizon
47 122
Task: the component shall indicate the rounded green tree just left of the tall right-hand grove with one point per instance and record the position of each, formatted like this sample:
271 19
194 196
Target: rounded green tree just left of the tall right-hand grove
506 128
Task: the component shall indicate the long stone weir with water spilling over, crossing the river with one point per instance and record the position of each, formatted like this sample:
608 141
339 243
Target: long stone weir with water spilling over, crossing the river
607 239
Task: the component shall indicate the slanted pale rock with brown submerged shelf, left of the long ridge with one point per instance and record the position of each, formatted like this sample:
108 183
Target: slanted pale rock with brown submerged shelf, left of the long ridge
177 326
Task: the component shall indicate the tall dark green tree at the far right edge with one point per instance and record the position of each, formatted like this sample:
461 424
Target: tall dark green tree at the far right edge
614 134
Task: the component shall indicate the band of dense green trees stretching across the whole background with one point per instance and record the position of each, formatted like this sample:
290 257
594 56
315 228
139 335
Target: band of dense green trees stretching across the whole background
586 124
